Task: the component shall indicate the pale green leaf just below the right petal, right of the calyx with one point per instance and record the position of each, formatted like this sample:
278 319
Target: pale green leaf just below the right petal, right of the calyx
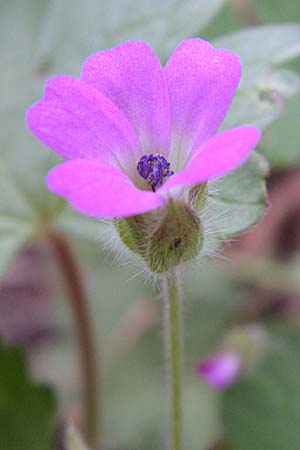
238 199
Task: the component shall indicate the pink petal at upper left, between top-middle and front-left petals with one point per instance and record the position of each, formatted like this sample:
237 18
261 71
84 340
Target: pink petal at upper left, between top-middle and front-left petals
77 121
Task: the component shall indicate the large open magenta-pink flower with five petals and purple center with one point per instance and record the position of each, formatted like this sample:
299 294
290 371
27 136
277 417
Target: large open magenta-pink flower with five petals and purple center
126 106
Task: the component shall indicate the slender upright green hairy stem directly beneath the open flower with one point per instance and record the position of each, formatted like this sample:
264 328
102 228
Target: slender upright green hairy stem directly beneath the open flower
173 356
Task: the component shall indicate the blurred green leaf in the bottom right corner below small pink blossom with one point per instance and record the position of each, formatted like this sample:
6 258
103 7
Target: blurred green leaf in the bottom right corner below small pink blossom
262 412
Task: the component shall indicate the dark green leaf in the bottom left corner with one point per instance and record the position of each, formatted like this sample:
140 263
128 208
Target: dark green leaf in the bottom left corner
27 410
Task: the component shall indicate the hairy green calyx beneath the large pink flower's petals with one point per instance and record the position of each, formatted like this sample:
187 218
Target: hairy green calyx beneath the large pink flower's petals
164 238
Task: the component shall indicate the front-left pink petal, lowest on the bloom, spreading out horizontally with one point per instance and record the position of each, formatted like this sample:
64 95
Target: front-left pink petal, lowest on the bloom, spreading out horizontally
99 190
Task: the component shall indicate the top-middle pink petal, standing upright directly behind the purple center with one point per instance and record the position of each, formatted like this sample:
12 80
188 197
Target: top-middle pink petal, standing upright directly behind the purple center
131 76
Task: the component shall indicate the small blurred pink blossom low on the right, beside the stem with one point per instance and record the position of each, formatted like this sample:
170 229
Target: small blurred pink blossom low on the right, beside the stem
220 370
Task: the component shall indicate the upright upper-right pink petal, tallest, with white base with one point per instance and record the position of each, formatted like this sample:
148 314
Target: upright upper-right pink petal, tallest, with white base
202 81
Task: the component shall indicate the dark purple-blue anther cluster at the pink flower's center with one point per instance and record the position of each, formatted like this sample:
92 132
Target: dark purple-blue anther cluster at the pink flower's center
154 168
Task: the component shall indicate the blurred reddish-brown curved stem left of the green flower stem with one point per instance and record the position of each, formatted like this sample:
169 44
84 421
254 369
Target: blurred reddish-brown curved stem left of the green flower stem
87 355
